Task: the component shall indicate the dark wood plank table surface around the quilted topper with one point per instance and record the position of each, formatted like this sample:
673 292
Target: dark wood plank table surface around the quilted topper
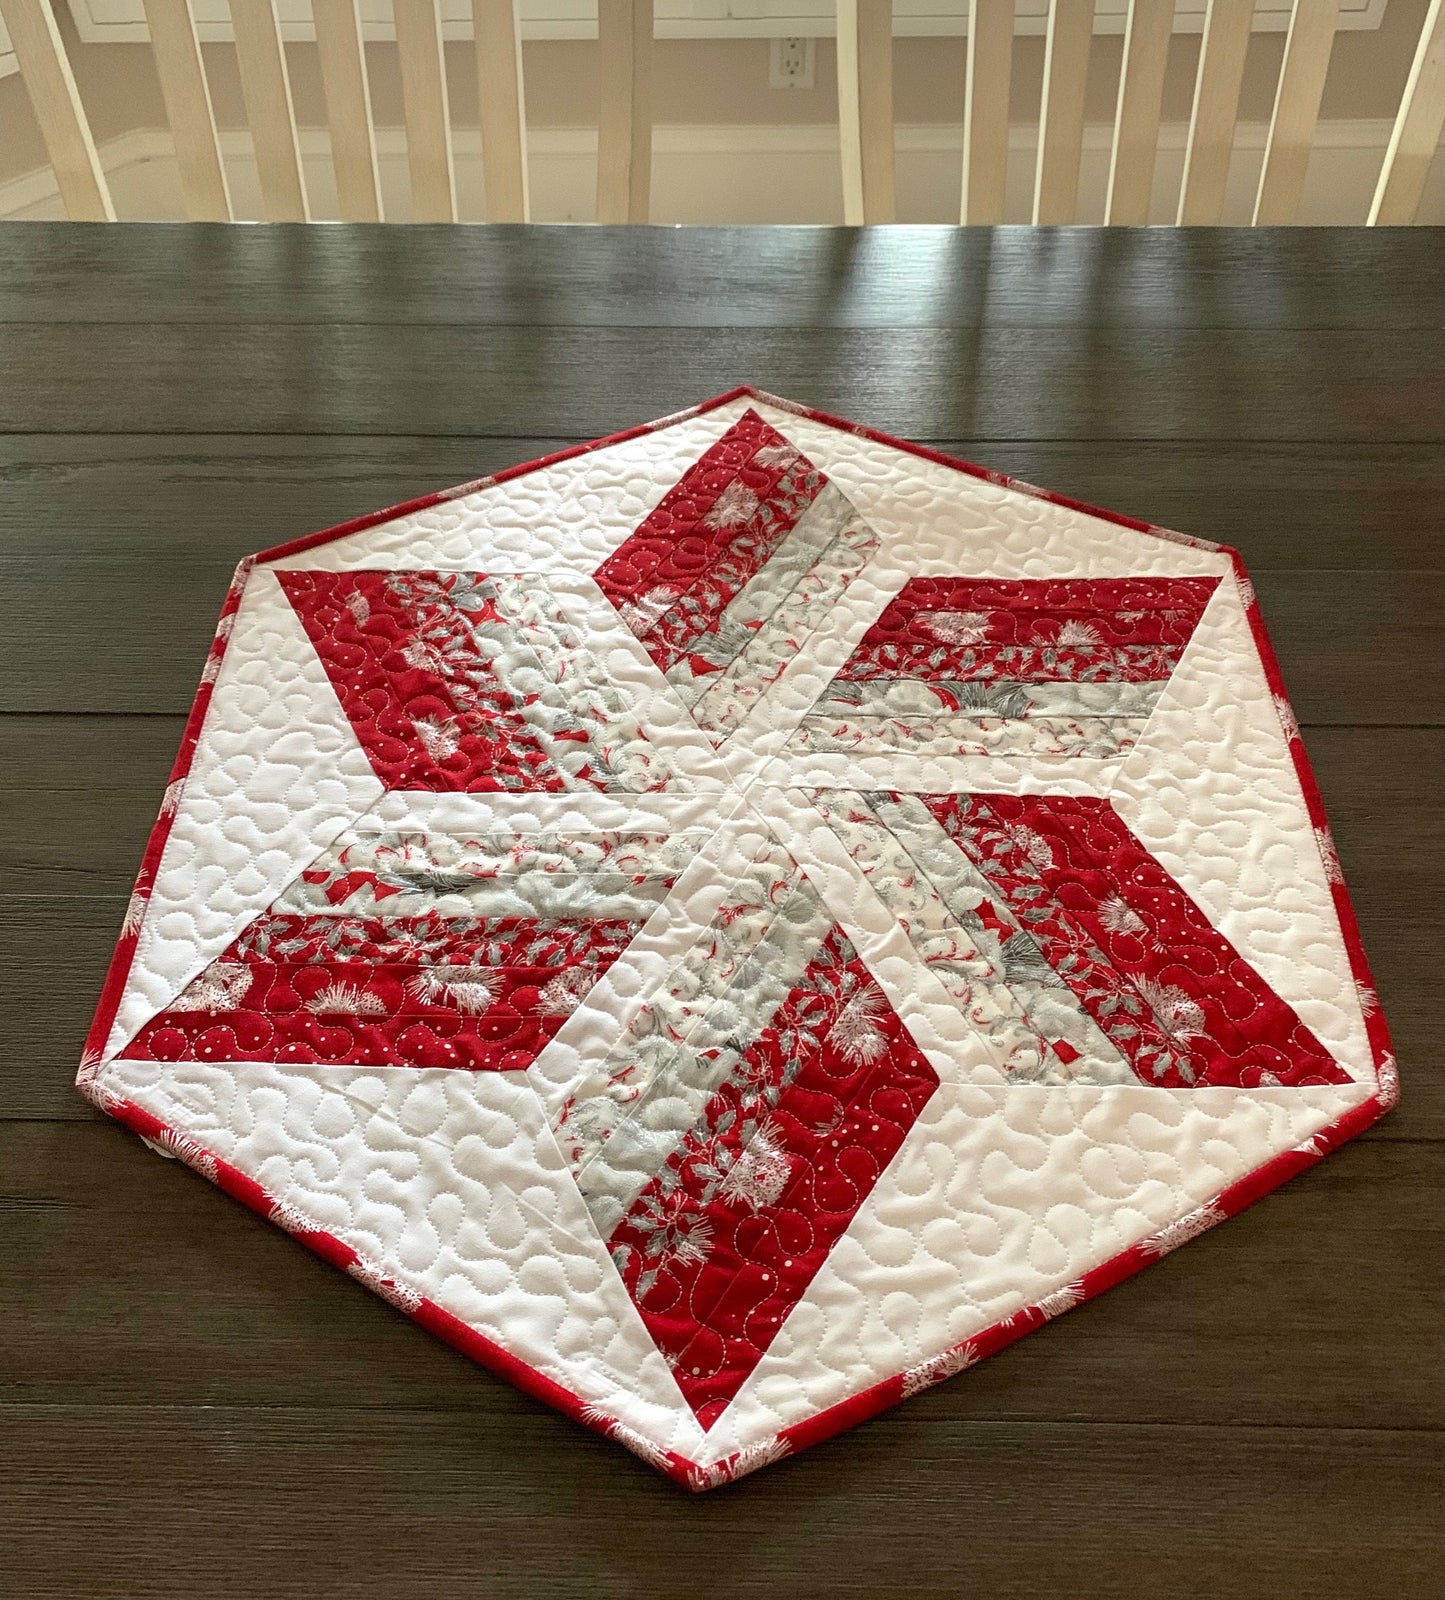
193 1406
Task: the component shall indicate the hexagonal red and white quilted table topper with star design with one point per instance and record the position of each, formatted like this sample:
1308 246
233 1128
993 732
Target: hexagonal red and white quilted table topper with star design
734 924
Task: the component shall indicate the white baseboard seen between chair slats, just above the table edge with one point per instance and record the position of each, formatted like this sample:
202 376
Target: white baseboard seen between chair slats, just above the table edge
742 174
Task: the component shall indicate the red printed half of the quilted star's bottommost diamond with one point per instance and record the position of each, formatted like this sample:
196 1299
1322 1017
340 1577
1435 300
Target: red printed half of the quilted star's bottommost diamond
727 1238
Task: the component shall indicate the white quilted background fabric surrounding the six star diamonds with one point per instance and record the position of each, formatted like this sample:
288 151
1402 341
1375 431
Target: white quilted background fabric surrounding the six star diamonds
1001 1196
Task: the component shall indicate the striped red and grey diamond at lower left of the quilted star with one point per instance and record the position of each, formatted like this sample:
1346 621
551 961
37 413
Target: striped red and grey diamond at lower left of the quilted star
401 974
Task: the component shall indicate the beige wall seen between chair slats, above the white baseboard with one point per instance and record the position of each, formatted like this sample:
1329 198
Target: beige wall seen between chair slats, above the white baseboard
713 82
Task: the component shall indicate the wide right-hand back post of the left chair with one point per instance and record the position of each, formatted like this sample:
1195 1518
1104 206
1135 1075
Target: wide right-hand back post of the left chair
625 121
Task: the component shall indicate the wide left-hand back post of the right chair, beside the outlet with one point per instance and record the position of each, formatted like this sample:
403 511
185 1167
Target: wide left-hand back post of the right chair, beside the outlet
867 110
